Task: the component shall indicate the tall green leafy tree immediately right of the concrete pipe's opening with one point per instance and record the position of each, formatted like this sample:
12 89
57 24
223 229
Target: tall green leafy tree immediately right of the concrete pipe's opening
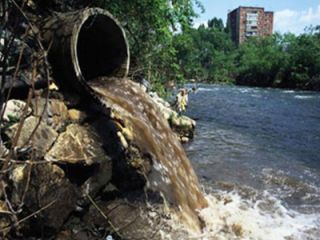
150 25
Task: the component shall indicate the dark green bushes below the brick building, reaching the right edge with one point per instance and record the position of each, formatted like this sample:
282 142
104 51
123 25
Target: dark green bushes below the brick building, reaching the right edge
281 61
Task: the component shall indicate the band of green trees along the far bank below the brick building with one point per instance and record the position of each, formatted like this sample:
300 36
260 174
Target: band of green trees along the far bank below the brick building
207 54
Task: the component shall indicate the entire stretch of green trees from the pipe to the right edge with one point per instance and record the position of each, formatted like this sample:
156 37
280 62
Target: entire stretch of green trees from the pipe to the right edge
164 47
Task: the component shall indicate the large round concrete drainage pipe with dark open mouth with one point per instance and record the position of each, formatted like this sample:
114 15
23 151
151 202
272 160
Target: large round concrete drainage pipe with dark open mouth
84 45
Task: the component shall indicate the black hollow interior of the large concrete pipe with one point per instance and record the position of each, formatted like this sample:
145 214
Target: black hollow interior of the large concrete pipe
101 47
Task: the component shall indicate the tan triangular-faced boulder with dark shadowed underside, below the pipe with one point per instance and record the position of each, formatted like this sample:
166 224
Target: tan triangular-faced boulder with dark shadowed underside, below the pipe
79 148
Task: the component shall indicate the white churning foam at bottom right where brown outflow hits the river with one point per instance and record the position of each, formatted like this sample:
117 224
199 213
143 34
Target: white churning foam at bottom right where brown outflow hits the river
229 216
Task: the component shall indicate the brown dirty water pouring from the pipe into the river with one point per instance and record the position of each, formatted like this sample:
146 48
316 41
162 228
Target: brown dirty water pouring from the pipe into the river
172 174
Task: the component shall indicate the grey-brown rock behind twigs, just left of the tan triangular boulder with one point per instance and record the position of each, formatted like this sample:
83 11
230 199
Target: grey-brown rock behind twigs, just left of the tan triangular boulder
42 139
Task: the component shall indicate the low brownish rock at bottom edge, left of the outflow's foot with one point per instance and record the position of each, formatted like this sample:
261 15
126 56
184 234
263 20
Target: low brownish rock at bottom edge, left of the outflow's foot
134 220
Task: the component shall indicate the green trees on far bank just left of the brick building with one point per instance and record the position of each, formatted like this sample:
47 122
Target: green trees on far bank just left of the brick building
206 53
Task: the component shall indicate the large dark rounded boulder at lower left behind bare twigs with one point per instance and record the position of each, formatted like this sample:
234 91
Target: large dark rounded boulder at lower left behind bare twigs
48 189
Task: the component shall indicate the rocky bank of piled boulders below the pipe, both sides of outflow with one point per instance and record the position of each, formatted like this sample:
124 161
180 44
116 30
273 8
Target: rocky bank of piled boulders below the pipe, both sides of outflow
74 174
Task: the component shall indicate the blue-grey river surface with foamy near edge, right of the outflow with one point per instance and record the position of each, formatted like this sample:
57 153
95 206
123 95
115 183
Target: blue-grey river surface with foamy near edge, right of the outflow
257 153
